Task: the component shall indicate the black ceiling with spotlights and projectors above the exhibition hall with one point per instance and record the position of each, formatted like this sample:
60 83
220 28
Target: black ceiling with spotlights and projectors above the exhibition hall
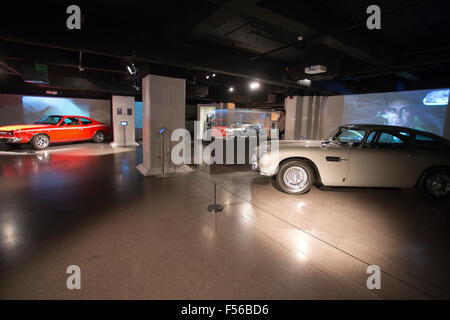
239 40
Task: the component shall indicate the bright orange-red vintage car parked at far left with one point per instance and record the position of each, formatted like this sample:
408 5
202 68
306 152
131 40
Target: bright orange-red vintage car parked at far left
55 129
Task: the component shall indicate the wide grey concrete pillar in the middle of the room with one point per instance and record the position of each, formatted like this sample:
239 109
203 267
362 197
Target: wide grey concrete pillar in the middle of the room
163 105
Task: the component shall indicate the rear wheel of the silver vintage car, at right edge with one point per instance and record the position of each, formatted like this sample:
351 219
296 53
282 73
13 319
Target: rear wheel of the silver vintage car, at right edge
435 184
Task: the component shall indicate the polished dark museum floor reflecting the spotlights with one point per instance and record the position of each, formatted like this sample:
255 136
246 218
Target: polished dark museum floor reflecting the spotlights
140 237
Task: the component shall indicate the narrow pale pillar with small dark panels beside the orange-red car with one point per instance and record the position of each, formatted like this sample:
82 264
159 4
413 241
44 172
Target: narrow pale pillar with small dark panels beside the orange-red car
123 111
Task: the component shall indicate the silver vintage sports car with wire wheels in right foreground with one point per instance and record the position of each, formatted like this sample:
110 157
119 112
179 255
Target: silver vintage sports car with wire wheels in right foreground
361 156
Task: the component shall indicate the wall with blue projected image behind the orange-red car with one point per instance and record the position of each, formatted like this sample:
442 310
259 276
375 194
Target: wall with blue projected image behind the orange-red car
18 109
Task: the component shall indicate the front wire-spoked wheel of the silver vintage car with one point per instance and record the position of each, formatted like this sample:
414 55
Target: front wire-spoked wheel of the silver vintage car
295 177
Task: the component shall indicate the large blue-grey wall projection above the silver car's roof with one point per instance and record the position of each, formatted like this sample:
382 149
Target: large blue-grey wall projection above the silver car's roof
423 110
